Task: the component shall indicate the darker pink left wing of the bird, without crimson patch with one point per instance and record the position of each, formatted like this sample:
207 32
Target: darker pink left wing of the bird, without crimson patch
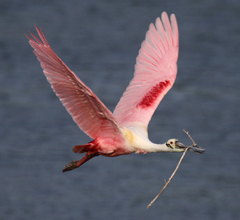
90 114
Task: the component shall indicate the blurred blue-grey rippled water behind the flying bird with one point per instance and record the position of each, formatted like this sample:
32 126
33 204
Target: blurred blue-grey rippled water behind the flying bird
99 41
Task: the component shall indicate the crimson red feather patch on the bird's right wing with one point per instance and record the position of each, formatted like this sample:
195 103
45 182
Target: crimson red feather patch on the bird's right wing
153 94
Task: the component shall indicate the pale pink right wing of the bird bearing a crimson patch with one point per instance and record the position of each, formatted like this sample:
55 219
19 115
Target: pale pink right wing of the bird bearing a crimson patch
155 73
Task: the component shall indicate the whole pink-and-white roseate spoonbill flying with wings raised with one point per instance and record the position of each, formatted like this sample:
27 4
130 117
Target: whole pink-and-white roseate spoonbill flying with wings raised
125 130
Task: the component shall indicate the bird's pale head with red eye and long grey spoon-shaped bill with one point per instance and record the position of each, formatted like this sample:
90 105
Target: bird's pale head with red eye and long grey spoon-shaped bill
177 146
